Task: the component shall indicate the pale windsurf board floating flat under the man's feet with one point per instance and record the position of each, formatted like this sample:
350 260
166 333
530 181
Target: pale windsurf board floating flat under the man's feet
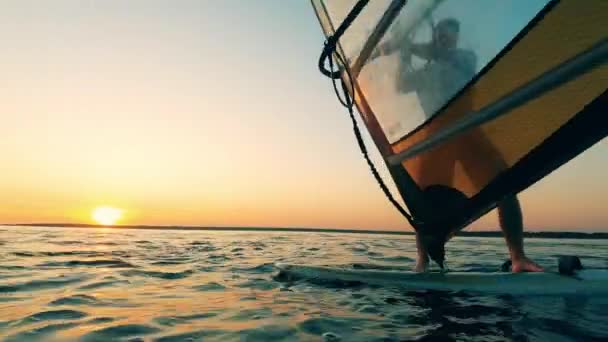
586 281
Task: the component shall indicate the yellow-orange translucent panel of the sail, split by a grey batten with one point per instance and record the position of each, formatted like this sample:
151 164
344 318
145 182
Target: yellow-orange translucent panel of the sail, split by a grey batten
471 161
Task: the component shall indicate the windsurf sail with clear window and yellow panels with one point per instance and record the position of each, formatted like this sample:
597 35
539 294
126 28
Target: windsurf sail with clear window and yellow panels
469 102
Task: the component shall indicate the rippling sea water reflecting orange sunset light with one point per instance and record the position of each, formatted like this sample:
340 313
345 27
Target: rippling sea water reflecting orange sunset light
98 284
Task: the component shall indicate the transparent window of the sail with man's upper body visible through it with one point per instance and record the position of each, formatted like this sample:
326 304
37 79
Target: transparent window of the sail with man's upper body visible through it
431 51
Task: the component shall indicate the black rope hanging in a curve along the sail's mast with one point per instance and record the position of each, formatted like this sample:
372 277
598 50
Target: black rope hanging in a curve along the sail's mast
328 54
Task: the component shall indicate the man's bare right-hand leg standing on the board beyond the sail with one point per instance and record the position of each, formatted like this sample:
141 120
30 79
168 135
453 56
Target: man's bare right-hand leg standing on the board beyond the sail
511 223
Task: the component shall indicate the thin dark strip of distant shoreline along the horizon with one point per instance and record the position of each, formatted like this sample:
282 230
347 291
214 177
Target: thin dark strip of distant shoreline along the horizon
544 235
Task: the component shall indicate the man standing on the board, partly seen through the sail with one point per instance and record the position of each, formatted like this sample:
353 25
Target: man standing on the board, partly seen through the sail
448 69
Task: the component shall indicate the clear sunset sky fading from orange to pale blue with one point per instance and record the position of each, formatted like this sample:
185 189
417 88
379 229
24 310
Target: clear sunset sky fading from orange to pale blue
202 113
